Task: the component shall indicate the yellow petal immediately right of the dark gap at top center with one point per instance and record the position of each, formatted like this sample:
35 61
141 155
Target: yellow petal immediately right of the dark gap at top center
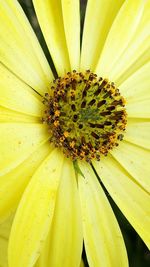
98 20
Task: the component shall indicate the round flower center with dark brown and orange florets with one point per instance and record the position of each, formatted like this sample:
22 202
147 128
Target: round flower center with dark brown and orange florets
85 114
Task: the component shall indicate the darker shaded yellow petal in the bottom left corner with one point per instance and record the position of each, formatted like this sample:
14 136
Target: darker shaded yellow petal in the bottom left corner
5 228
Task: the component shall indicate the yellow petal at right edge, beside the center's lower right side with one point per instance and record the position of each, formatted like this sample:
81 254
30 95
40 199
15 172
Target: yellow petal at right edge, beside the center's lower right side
138 132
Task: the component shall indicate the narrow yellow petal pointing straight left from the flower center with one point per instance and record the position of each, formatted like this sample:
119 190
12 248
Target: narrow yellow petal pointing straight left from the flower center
7 115
